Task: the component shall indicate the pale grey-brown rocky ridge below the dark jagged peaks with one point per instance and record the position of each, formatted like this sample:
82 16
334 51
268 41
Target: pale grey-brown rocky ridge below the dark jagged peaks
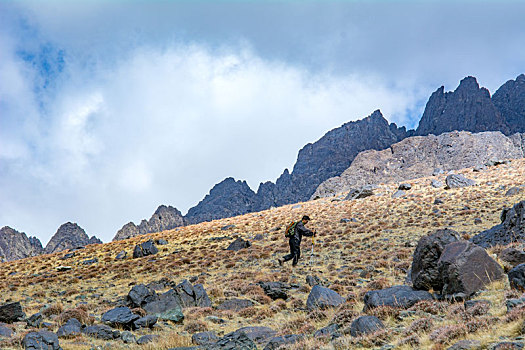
418 156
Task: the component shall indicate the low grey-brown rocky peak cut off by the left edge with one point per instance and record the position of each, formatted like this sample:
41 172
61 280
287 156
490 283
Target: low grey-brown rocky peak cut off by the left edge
16 245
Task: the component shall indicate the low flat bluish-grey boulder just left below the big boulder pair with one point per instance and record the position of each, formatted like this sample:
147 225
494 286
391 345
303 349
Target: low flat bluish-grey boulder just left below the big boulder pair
396 296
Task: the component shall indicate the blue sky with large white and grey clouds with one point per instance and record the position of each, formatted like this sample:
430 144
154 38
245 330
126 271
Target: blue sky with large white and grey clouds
109 109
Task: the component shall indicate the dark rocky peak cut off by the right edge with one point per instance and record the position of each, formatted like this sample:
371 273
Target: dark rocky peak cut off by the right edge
509 99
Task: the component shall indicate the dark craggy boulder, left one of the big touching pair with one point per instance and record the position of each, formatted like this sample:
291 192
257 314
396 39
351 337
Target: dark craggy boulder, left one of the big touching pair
424 272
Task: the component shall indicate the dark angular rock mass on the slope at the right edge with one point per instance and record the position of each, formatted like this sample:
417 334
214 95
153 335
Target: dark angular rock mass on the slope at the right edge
511 229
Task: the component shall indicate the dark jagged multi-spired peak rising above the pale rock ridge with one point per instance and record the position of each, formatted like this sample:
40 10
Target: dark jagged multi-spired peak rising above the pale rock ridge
467 108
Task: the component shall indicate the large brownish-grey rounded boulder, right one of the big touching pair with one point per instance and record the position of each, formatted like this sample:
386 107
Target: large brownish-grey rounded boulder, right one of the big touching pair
466 268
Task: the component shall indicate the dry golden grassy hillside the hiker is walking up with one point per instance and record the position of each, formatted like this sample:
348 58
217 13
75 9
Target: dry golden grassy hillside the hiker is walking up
372 252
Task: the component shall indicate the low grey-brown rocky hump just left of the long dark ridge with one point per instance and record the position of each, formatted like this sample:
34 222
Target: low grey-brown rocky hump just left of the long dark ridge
164 218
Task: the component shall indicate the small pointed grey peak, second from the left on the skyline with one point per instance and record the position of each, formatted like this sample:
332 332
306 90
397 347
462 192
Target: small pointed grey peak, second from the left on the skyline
69 236
